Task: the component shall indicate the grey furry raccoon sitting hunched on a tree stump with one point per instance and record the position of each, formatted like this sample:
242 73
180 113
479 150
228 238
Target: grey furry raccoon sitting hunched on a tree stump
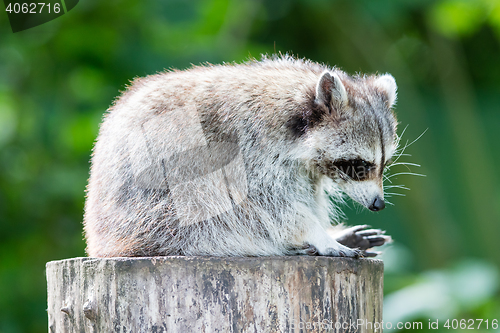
246 159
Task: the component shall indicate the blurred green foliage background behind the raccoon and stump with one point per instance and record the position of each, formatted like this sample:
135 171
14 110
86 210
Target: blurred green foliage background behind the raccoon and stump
56 80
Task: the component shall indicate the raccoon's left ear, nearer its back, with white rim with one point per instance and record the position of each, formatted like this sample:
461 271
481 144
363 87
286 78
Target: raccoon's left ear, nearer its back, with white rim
330 90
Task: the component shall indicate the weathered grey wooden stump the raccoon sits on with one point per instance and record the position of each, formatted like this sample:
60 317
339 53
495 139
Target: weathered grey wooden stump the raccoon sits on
207 294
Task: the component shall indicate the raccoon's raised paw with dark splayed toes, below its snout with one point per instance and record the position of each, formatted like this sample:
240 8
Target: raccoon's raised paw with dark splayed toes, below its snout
359 237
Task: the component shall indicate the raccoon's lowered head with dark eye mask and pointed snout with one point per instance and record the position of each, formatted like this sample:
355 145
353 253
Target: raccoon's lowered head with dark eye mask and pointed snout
351 135
